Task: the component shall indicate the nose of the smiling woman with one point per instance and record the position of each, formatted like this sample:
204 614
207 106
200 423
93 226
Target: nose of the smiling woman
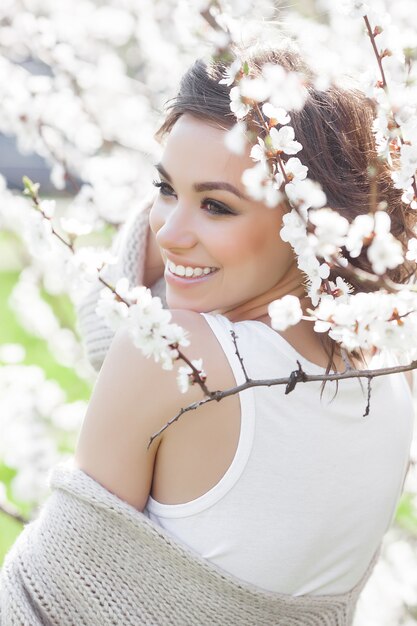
173 226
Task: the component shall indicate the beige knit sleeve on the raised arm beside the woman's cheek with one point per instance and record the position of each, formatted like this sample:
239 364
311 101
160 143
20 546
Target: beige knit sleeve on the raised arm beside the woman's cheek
130 248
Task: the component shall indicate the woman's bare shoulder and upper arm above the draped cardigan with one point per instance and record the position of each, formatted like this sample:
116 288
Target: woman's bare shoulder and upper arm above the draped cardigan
132 399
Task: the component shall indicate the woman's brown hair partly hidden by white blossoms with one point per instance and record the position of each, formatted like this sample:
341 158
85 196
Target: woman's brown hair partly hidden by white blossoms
335 130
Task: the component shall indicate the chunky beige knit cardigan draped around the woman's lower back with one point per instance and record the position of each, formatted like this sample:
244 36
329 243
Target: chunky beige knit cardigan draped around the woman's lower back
91 559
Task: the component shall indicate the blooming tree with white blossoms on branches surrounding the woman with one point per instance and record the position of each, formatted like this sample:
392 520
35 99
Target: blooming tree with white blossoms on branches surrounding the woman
90 109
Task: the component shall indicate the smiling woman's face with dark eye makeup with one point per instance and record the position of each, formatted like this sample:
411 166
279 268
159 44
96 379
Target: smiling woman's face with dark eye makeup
202 218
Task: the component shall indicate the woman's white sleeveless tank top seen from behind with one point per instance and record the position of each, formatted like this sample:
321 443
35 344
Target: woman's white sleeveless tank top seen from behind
313 485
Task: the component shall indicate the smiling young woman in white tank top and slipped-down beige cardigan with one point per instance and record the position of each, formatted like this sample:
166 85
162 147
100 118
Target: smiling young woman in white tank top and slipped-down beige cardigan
264 508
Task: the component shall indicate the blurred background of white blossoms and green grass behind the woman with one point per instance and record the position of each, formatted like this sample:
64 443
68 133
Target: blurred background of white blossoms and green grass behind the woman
82 86
